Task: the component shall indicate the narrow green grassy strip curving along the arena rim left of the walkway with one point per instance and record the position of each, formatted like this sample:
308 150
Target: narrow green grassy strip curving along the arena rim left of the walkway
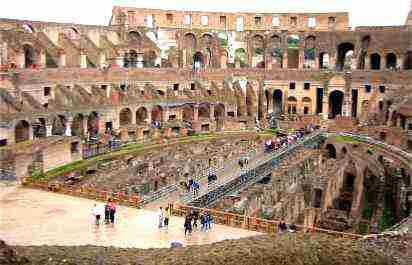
133 148
